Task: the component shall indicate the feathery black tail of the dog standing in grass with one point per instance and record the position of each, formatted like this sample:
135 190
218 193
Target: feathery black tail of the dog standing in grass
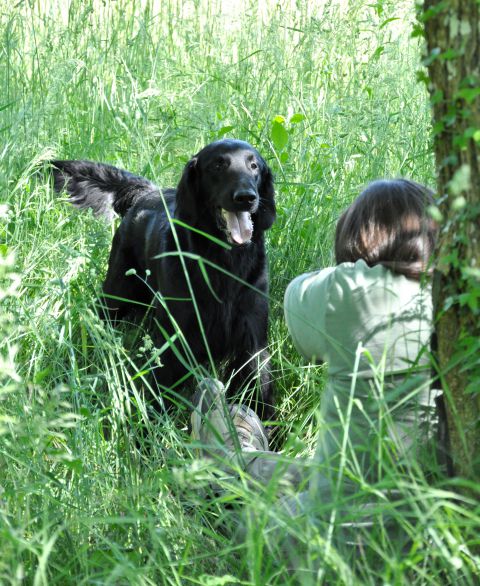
103 188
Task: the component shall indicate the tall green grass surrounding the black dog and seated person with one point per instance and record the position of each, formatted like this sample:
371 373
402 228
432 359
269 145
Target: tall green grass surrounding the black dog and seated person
93 488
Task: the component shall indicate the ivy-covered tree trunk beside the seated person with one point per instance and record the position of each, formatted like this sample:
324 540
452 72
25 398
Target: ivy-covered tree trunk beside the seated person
452 32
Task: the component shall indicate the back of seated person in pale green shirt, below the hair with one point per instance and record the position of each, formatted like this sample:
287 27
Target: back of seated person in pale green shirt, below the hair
373 328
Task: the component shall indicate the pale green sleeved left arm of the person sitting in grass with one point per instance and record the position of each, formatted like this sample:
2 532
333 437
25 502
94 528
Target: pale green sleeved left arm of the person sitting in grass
305 305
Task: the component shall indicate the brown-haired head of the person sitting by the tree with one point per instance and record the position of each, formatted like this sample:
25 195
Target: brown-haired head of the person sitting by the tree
388 224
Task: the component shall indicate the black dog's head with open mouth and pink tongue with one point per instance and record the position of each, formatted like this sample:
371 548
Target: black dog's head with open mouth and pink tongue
230 183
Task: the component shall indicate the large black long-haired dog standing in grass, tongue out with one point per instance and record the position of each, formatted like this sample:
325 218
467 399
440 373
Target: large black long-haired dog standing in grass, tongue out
204 271
